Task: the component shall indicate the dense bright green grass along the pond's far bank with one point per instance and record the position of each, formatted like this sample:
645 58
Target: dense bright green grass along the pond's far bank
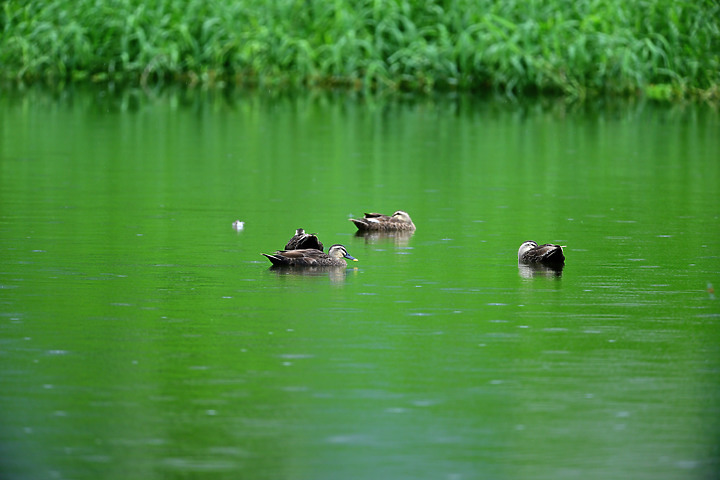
665 50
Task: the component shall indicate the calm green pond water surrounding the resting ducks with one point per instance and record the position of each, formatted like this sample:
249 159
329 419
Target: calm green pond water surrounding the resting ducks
142 336
